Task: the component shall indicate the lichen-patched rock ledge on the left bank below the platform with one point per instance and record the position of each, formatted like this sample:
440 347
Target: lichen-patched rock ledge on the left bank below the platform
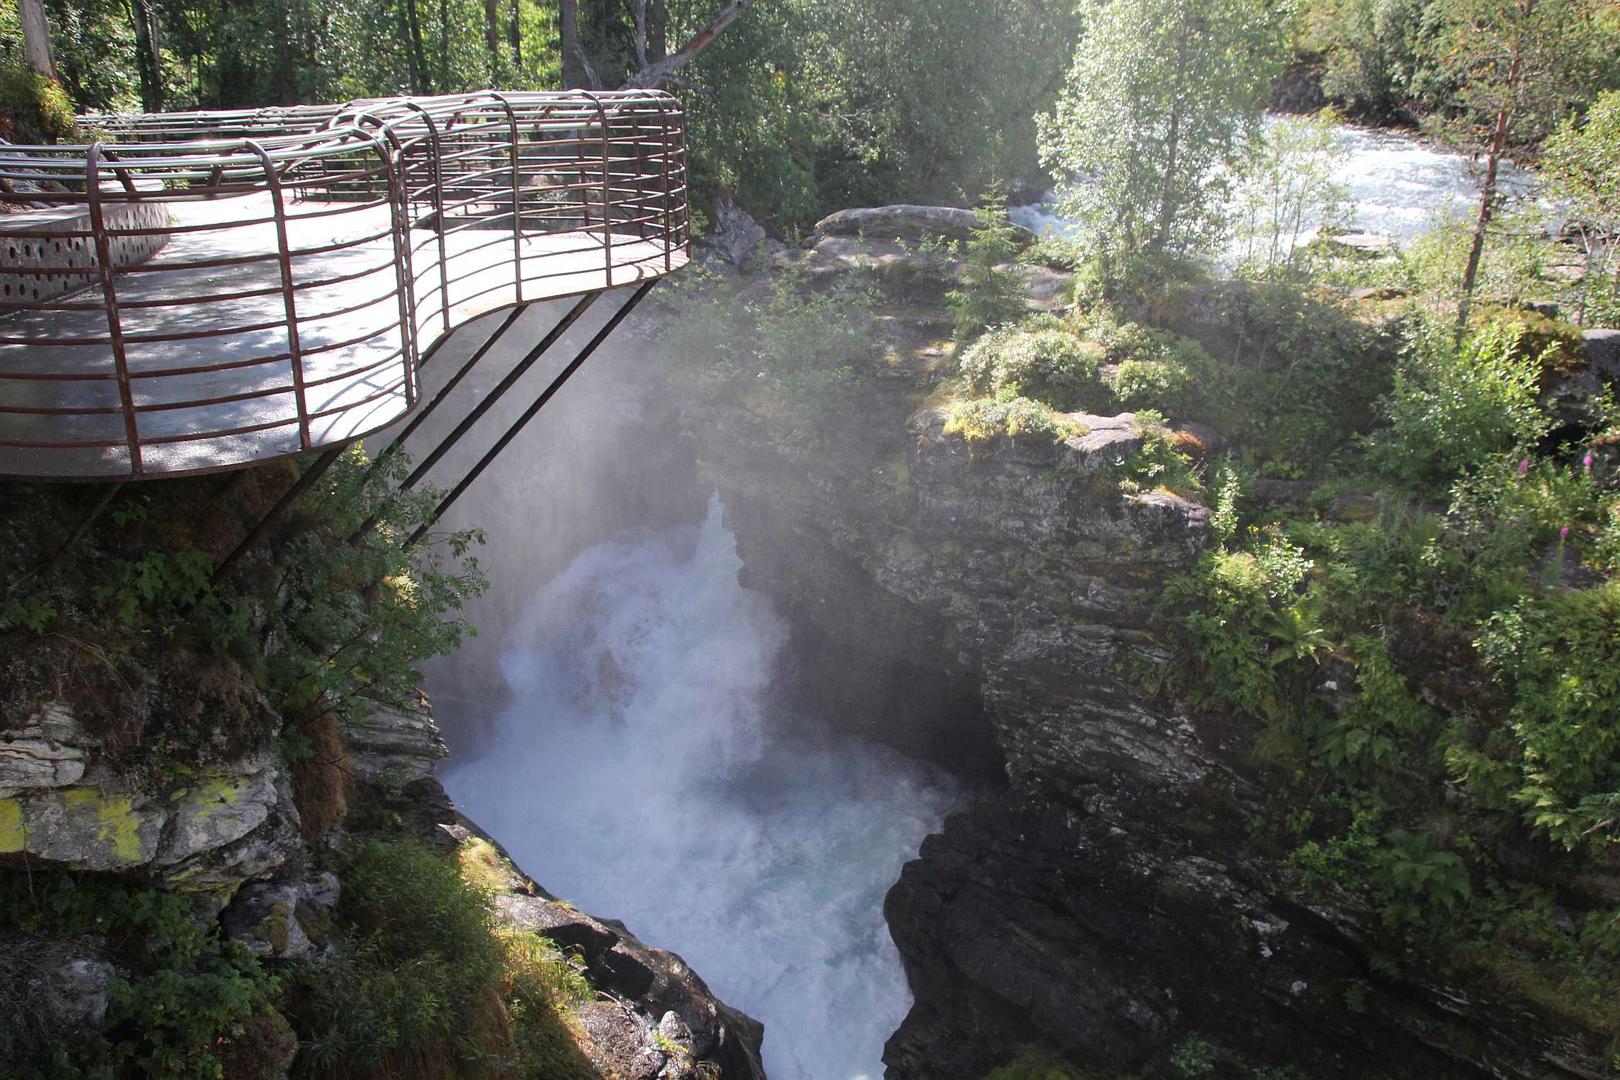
221 823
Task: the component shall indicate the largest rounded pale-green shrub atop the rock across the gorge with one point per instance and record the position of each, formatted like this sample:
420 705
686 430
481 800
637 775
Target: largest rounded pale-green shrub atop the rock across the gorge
1042 360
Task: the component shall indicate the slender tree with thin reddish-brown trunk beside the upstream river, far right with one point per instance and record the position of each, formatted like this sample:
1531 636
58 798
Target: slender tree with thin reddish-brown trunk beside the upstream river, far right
1516 64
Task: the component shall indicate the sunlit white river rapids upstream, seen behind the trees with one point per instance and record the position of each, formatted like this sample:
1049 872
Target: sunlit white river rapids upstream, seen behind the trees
1400 187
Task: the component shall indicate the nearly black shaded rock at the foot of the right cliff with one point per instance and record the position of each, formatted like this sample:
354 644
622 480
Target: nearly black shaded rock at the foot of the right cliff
1114 945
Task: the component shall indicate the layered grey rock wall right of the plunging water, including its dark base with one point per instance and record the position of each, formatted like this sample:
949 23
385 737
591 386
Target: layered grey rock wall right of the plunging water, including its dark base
1107 901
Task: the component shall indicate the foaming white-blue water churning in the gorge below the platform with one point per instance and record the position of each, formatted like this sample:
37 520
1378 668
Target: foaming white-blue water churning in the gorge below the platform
641 775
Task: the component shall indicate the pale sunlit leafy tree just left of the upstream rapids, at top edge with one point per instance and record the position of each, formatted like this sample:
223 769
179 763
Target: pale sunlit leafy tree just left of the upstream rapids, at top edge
1162 100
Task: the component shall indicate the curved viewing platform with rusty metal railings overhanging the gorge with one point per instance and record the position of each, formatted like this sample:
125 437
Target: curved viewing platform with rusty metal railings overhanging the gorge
215 291
